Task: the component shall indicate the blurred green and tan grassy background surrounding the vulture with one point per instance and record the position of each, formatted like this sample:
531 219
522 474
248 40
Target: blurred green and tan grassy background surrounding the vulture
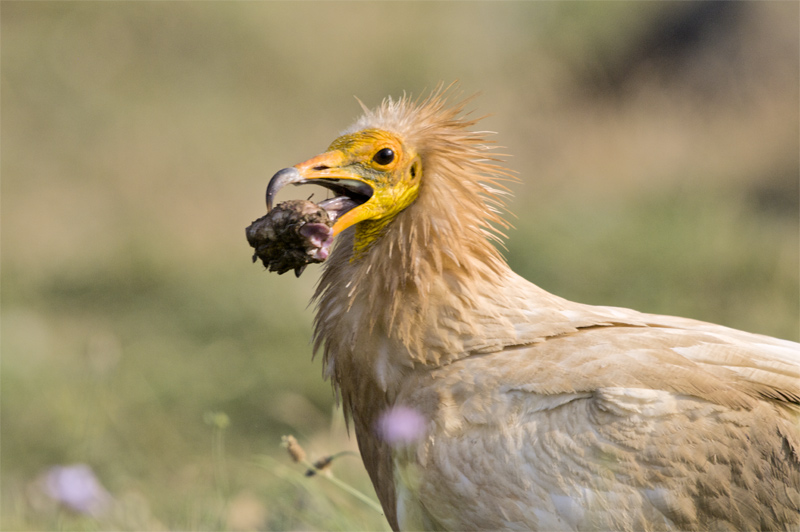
657 146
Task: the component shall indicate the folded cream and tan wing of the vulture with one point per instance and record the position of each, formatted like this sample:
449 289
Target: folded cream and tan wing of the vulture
668 428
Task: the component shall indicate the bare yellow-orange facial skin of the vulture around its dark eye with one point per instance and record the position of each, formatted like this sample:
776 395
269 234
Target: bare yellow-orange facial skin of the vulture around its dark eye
379 159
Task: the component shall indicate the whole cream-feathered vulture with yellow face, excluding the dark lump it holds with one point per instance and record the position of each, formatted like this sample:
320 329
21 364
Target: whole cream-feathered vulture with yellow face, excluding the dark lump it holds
538 413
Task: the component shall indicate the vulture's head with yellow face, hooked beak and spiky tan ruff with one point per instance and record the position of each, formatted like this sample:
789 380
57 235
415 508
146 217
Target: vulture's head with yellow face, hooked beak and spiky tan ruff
412 175
